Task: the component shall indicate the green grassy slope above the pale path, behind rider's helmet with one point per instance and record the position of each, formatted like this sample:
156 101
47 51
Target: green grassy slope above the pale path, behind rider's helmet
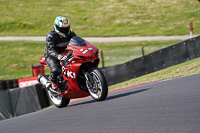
101 17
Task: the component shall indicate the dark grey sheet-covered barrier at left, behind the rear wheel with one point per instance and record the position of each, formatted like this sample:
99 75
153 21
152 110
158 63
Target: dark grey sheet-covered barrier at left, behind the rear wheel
19 101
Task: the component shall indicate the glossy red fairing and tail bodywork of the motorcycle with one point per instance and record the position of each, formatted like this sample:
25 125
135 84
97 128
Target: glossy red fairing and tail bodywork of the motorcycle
70 72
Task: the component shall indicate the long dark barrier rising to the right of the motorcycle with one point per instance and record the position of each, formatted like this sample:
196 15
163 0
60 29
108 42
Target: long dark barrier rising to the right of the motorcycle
163 58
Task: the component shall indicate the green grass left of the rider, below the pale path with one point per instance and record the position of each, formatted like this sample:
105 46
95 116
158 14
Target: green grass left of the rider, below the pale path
16 58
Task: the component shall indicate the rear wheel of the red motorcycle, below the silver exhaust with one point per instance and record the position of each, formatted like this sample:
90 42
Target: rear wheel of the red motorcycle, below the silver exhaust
58 101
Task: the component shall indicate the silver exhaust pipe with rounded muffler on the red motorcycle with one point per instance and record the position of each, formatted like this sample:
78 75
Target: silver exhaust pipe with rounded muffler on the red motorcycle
41 79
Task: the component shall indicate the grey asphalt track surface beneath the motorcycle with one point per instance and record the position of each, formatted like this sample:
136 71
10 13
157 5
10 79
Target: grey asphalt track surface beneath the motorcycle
167 106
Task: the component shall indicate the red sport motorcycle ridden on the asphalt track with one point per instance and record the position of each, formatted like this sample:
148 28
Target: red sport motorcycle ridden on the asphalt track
81 76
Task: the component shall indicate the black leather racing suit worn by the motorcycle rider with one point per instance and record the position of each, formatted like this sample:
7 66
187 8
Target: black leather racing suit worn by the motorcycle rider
55 44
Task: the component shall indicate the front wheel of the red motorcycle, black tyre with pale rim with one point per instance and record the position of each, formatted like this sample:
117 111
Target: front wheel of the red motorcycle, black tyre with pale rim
98 88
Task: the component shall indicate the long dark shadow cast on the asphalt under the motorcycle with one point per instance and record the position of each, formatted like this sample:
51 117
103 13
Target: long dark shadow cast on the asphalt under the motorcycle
112 97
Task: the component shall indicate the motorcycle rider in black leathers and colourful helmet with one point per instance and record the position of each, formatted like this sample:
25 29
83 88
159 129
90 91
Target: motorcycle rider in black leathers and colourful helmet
56 43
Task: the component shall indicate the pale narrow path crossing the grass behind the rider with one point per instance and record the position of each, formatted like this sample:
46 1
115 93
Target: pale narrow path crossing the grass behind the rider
100 39
